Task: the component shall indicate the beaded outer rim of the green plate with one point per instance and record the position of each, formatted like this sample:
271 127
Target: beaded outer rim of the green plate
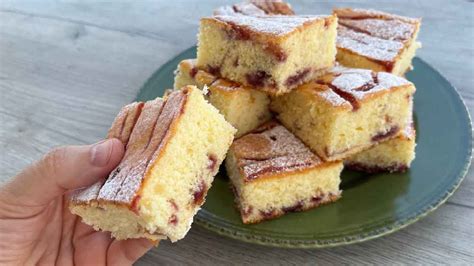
202 217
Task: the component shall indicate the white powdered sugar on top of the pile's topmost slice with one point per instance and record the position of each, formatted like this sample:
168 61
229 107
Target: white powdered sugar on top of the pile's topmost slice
275 25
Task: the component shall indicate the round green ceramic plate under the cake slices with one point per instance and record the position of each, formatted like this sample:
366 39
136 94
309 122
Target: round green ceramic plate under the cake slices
371 205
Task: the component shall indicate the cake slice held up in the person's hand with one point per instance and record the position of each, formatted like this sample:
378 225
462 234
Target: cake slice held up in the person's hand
172 154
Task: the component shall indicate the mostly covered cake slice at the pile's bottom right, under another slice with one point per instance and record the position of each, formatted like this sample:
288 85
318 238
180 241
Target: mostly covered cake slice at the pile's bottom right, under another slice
394 155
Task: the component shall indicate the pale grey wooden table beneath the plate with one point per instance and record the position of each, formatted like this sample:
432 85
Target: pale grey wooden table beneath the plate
67 68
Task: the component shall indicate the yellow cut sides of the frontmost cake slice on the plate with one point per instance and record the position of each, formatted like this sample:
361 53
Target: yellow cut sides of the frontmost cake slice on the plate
274 193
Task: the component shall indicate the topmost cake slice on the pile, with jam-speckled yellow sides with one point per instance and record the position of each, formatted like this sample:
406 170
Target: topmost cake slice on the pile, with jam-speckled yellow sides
271 53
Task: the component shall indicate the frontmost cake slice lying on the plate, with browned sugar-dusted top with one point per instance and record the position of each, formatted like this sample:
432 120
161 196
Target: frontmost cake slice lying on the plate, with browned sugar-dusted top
273 172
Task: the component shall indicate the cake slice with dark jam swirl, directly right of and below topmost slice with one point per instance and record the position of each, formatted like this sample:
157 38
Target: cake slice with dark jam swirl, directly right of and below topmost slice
346 111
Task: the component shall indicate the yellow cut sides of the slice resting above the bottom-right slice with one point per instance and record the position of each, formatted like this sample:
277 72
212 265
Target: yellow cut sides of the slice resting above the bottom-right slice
337 131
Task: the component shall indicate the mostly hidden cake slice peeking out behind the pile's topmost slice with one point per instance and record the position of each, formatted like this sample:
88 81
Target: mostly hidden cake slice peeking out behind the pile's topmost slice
256 8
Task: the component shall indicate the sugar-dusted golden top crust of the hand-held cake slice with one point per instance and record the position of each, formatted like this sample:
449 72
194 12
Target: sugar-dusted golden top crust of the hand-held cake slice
151 132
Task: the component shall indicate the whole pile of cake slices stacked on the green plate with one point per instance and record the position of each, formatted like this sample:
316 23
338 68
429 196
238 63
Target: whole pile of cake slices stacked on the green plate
308 95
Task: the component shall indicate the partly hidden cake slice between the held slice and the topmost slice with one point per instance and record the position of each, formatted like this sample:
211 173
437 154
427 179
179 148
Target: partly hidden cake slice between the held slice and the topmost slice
243 107
